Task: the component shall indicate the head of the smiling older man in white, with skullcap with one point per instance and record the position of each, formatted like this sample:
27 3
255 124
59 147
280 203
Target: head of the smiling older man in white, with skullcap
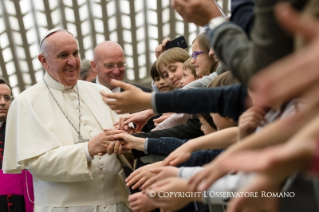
60 57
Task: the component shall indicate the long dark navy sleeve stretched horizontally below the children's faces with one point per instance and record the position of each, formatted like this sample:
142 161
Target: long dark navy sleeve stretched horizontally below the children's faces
228 101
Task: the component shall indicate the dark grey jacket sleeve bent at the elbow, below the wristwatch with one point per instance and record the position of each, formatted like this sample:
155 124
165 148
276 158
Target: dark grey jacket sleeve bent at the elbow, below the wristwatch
245 57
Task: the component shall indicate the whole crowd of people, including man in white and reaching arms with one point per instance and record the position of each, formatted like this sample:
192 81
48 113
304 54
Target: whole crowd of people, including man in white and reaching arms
231 127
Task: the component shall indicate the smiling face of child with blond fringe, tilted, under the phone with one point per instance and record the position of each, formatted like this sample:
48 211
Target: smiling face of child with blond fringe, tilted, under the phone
172 74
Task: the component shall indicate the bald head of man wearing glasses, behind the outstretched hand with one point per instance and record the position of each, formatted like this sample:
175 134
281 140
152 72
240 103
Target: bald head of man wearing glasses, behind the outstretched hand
106 54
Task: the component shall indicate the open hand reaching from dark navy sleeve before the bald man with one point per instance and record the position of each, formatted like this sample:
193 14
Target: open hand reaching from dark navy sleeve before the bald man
131 100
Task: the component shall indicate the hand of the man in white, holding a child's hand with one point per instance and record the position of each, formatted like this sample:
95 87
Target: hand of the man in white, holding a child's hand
103 142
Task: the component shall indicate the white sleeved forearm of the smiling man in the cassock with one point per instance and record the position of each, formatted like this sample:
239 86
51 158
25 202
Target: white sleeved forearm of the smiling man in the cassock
63 164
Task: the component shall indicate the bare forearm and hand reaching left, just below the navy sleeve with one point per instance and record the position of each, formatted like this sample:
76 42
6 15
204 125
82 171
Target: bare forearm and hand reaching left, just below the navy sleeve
217 140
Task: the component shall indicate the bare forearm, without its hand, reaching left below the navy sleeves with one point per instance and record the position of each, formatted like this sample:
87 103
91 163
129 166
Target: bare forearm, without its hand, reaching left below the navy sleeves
217 140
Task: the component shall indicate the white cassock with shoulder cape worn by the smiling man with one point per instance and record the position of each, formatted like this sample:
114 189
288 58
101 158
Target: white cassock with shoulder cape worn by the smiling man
40 139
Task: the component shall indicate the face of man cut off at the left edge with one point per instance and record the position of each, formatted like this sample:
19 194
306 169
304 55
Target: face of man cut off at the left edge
5 94
